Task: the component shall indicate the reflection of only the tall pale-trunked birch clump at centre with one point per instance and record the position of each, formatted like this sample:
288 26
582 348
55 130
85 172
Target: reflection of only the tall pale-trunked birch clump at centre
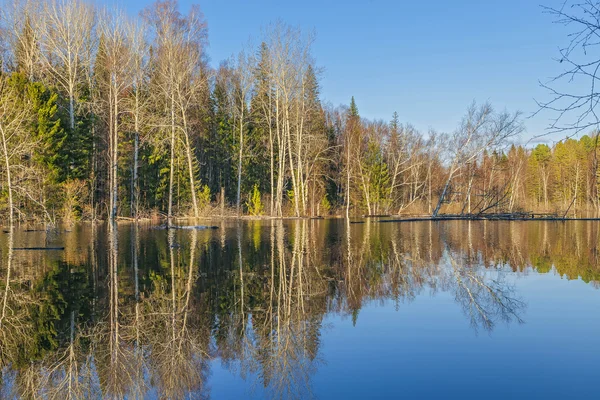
282 349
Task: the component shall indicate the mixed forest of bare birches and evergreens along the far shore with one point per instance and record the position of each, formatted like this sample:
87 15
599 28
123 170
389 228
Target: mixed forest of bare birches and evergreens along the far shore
107 116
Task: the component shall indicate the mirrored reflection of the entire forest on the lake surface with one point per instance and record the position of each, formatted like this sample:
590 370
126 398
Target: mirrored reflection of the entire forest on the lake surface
131 311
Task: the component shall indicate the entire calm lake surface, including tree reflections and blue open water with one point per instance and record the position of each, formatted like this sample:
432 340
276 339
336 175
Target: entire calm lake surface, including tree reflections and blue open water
303 309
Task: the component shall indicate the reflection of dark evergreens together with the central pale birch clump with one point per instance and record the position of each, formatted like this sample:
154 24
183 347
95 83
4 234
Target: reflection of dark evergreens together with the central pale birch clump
266 320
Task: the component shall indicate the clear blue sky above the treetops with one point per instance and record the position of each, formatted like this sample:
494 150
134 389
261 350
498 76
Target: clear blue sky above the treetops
427 60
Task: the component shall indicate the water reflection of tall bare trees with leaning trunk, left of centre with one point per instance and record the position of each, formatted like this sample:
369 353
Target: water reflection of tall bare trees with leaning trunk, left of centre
174 333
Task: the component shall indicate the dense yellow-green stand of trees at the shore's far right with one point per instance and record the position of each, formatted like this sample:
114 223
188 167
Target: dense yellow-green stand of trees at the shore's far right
562 179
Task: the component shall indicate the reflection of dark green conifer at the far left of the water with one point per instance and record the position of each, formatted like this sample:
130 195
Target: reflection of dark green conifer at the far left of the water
43 348
